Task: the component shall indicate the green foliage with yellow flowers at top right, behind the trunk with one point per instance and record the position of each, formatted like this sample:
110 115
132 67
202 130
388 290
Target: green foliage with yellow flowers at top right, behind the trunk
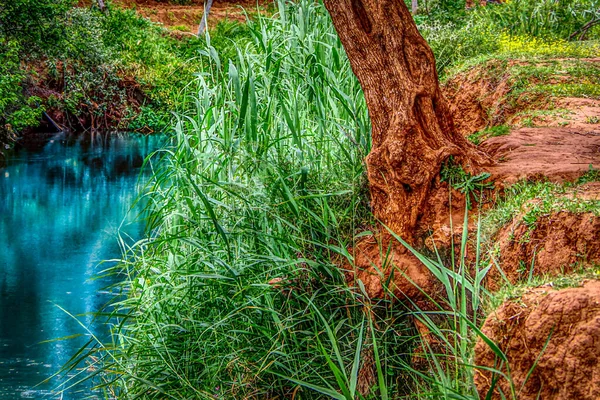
519 28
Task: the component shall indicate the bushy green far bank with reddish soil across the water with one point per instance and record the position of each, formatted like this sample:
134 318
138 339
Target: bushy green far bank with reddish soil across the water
113 71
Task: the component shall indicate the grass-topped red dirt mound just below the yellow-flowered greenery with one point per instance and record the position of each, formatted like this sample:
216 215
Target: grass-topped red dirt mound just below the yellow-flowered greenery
524 94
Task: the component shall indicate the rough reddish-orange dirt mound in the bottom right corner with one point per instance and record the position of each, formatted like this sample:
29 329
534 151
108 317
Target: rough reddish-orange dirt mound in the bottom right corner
551 340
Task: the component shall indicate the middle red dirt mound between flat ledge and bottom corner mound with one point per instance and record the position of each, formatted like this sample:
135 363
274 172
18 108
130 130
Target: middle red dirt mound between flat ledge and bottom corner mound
555 244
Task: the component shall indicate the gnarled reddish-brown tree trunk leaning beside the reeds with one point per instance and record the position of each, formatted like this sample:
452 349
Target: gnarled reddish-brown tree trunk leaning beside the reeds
413 132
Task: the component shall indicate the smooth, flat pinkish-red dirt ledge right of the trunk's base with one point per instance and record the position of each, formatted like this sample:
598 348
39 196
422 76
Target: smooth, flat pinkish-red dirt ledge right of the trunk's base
559 154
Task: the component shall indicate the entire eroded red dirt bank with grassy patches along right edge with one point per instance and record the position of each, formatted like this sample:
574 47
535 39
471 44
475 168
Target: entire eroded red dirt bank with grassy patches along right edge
549 338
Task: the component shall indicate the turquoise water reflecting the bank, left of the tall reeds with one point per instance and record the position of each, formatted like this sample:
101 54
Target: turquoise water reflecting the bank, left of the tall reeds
63 202
